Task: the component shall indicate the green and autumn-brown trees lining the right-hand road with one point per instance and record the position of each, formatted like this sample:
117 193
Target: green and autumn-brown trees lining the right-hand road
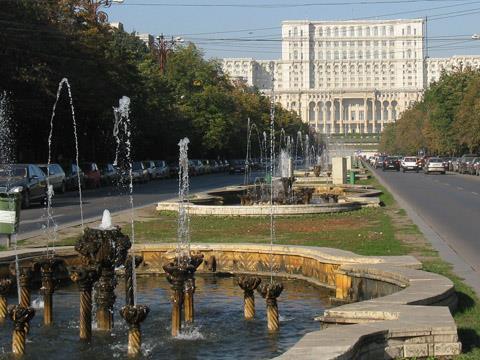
445 122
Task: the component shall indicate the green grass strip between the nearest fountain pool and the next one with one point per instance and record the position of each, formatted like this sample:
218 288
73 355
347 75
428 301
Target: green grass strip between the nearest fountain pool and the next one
374 231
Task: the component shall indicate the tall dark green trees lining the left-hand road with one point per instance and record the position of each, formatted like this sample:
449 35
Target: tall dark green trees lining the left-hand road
43 41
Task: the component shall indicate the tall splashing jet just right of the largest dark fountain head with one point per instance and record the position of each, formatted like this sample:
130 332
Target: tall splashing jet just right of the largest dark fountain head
121 131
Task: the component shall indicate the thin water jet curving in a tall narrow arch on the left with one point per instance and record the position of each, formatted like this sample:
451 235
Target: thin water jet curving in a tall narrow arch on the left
50 222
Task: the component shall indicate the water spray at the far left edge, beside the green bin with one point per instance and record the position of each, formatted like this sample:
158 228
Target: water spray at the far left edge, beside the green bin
7 157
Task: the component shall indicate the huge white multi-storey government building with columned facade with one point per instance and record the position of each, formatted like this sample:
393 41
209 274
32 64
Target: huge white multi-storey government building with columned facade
348 76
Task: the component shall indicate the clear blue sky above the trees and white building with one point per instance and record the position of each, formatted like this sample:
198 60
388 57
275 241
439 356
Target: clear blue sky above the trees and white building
456 19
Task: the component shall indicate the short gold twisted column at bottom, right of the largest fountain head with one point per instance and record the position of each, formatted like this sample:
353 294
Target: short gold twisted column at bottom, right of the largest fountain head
134 315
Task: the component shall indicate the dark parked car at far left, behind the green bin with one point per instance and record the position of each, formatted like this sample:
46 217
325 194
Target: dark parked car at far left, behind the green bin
29 179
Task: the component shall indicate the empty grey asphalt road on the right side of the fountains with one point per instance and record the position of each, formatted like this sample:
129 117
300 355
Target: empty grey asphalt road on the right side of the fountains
449 204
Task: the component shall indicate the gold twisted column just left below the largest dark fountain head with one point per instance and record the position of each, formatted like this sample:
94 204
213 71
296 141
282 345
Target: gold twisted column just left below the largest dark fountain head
85 277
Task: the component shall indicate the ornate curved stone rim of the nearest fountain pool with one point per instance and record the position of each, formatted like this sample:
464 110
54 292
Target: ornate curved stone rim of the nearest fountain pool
399 310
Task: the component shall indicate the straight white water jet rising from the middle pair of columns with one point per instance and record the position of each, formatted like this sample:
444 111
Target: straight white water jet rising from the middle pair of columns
183 230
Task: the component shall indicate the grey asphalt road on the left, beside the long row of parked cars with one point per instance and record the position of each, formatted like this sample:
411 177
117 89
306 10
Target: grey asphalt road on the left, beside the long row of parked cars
66 209
